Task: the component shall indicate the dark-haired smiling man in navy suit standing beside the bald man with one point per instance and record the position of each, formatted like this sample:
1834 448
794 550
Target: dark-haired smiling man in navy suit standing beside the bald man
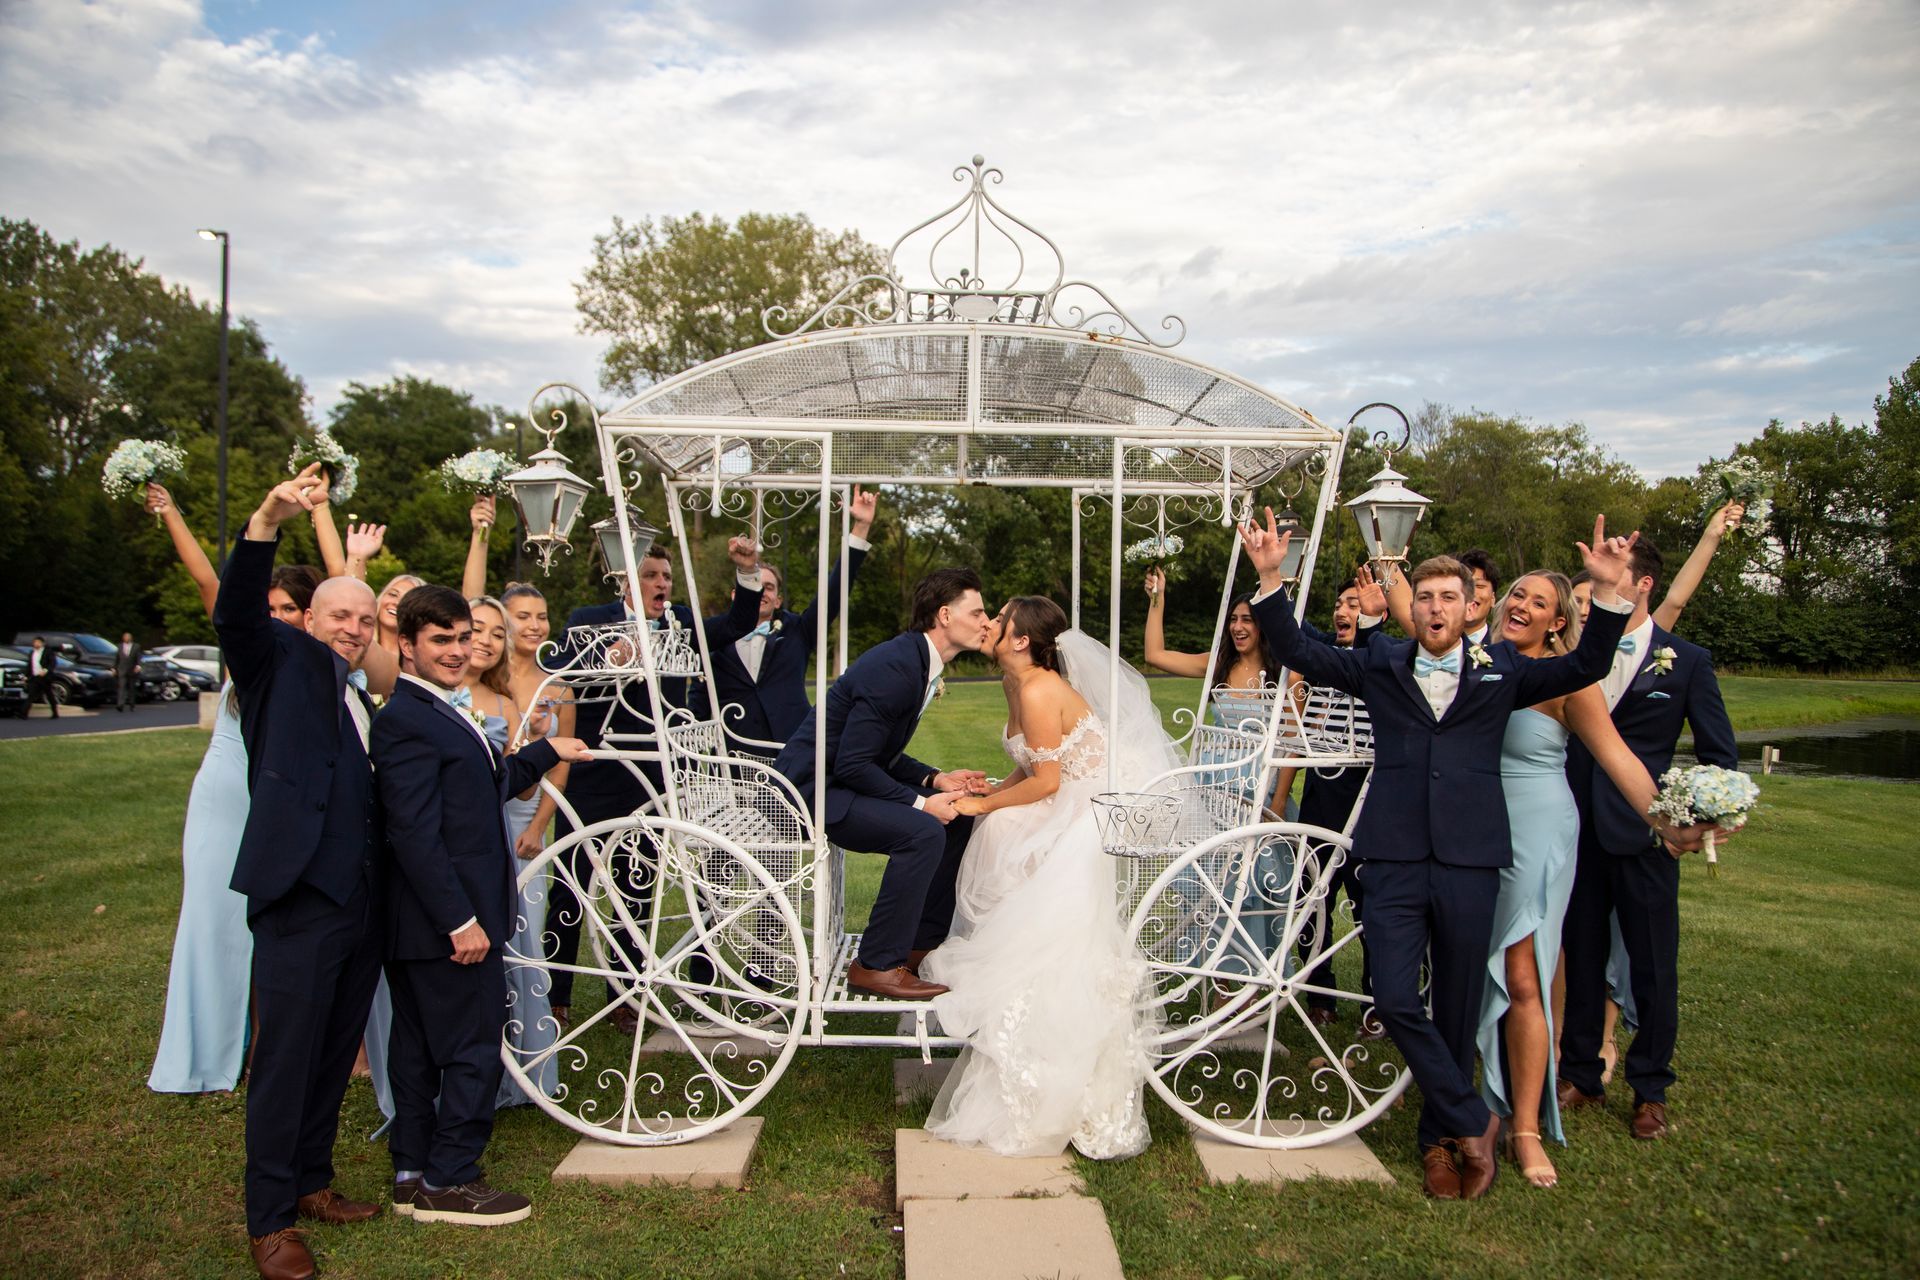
443 786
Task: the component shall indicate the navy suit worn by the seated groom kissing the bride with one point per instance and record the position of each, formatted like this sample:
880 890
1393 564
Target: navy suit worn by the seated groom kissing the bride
871 790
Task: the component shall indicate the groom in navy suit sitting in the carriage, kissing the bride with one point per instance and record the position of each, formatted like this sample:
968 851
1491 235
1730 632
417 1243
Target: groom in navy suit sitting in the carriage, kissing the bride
884 801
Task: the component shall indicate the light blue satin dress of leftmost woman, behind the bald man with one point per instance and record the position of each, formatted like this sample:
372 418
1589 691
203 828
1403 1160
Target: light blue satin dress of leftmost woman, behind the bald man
203 1041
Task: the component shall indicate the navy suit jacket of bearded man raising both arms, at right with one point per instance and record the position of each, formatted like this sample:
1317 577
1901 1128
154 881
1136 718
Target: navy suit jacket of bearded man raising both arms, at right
1435 788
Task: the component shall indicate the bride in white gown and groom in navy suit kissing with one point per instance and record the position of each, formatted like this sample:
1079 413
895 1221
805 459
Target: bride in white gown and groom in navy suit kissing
997 899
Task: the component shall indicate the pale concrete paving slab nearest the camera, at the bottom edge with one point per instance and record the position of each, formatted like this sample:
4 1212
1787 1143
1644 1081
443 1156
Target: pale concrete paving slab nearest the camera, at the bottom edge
1009 1241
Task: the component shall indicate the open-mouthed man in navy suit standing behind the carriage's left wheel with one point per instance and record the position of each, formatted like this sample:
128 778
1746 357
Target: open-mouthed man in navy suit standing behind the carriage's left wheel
608 788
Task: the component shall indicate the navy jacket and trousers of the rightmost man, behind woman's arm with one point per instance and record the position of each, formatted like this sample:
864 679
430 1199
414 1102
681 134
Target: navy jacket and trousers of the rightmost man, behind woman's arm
1623 868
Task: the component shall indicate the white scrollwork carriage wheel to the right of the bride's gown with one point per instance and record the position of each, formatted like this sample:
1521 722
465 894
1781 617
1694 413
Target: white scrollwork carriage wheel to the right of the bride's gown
1236 1049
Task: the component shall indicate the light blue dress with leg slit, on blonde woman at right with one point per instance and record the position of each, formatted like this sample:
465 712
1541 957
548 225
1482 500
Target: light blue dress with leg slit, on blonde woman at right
1533 893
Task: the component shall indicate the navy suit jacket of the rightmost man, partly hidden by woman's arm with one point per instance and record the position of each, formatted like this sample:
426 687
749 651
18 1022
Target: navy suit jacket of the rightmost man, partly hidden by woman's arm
1650 717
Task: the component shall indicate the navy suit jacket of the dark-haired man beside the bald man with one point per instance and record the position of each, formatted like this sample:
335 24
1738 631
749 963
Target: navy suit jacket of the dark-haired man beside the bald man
443 788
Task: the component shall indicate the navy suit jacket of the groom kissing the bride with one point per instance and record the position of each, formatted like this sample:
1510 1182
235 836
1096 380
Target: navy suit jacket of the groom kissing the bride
871 717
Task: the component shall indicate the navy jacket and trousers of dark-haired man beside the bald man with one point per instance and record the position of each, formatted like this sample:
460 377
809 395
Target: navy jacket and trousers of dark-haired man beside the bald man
444 788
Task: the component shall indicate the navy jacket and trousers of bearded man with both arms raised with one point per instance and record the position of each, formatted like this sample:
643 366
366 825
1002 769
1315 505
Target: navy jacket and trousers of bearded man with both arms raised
1433 834
